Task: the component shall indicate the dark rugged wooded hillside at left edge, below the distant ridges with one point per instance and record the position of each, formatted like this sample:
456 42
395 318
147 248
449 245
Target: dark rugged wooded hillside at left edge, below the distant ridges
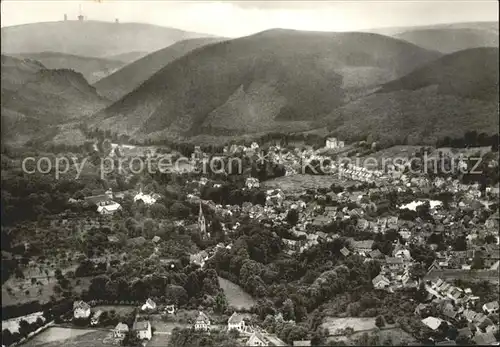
48 99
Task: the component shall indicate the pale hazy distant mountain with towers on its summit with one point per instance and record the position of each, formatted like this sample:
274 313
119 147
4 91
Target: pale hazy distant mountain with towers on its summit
89 38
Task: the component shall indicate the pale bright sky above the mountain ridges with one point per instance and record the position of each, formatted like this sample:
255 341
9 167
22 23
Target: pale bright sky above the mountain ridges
239 18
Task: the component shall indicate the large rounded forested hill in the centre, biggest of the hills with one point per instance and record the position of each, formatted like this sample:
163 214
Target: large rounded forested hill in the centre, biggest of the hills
261 82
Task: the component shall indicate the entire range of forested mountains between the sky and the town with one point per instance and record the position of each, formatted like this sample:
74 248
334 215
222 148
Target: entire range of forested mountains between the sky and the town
160 83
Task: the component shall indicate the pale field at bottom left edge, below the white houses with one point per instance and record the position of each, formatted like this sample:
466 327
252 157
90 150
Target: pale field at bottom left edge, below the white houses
66 337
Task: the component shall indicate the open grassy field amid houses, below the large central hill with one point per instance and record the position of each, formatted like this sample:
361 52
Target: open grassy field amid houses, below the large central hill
296 183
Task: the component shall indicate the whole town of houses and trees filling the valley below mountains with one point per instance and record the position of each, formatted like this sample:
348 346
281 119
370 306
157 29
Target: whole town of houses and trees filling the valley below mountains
271 254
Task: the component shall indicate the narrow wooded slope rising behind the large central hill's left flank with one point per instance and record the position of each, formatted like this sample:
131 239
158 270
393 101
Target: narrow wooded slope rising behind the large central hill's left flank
123 81
